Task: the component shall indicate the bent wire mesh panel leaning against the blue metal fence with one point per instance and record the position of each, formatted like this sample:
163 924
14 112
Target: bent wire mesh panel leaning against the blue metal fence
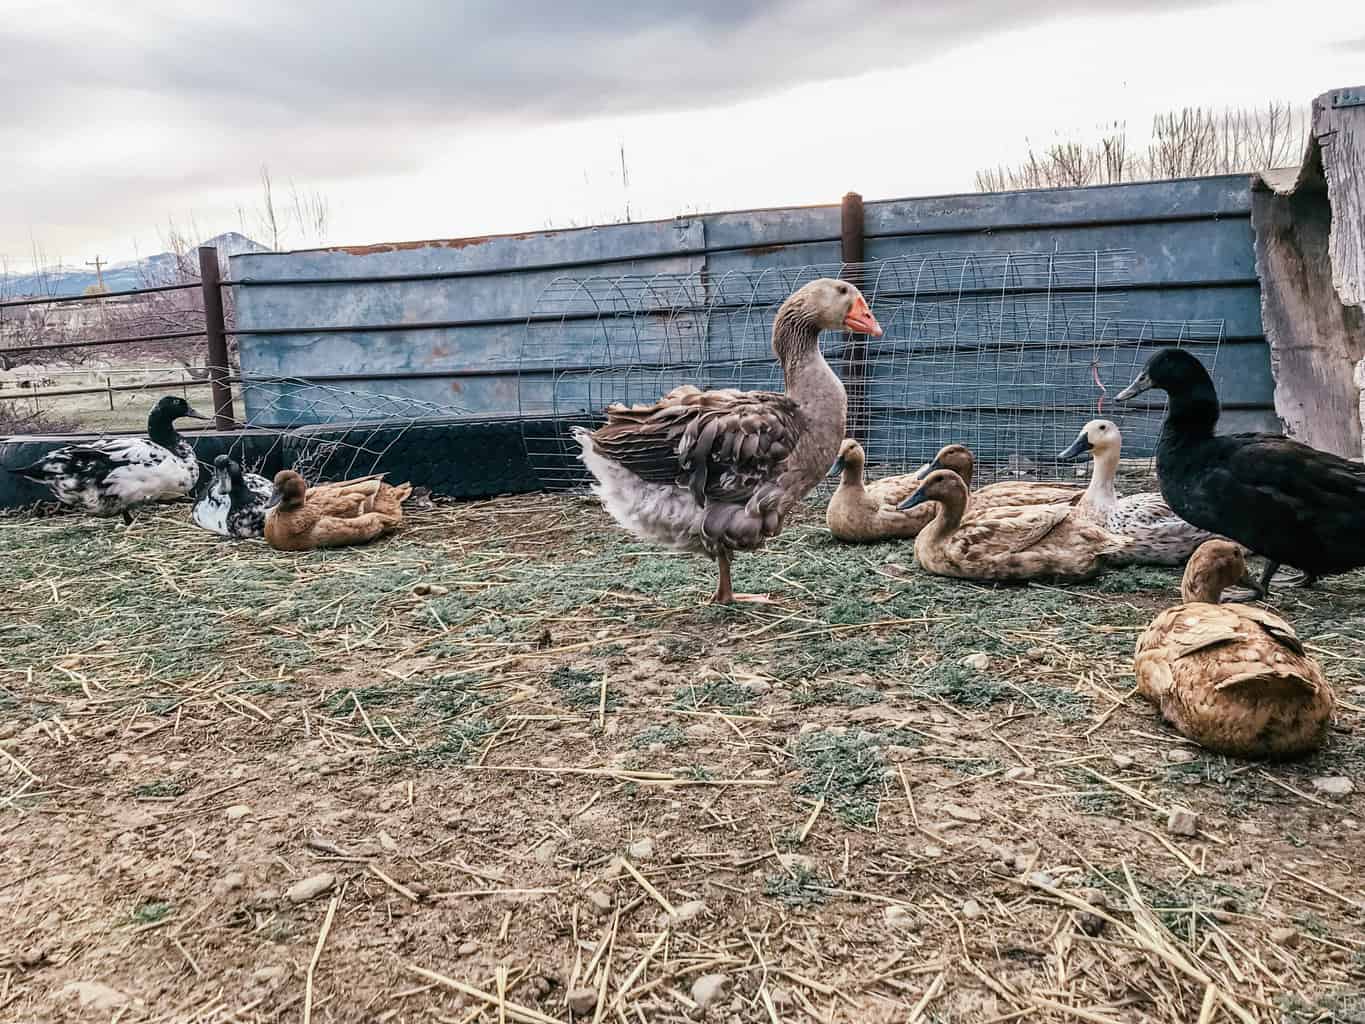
1007 353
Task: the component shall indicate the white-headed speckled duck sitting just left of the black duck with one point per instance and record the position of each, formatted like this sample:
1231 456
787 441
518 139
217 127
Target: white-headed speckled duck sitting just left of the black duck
1160 536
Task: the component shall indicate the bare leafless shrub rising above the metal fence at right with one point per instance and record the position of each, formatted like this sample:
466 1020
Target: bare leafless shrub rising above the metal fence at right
1192 143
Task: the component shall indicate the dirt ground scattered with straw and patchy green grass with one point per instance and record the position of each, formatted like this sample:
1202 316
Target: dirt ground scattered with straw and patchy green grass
508 767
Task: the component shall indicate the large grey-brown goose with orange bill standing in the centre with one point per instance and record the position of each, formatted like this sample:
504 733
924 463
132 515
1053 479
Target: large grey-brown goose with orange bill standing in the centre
719 472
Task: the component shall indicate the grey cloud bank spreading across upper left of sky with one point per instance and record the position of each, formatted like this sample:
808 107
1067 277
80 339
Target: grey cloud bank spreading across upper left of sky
350 89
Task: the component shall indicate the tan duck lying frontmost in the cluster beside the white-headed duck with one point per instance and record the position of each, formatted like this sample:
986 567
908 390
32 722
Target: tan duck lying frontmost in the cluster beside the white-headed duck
1009 544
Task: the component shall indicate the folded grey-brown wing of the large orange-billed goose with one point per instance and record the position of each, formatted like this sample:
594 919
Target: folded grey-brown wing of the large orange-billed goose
720 444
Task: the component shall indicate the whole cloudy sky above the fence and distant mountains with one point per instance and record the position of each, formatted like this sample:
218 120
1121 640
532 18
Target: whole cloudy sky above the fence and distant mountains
437 119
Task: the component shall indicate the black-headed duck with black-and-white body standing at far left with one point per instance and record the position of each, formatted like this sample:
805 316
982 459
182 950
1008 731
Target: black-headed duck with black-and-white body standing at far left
117 476
